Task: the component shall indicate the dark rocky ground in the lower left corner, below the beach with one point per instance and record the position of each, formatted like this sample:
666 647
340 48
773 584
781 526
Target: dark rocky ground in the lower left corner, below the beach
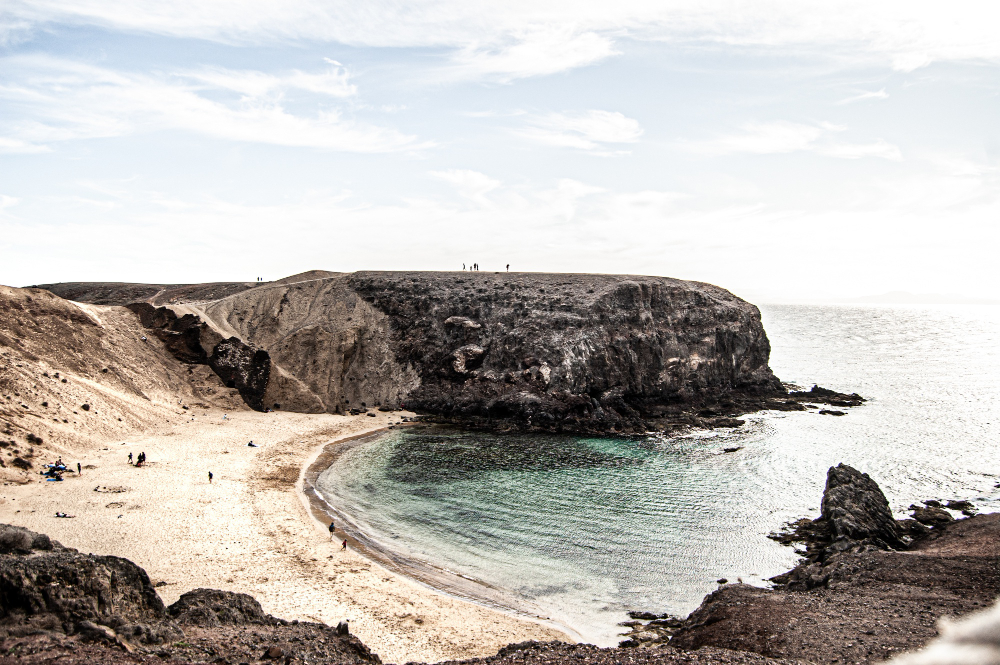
58 603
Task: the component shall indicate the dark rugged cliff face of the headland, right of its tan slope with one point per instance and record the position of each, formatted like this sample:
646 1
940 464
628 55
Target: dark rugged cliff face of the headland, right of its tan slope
574 351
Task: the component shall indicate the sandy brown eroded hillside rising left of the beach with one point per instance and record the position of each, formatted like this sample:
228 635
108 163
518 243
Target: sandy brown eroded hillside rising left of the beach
74 374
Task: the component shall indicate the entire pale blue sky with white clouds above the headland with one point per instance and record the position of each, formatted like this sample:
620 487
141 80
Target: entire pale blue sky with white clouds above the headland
785 150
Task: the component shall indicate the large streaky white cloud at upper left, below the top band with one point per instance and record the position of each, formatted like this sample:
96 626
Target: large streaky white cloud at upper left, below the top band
62 101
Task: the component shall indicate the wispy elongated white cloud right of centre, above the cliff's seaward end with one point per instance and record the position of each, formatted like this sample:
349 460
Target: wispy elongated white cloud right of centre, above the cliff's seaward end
786 137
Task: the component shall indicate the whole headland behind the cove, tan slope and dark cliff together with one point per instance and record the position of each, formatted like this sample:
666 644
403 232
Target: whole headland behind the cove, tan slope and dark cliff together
612 354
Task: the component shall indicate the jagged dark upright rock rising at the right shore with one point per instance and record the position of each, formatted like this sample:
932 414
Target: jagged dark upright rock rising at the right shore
856 511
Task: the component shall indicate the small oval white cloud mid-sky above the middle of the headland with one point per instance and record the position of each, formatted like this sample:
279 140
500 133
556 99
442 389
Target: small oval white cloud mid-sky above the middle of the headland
587 130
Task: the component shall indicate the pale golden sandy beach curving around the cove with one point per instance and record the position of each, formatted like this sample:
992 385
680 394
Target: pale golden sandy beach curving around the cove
251 530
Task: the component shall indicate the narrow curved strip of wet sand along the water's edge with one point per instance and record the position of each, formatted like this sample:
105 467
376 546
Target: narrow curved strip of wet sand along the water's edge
435 578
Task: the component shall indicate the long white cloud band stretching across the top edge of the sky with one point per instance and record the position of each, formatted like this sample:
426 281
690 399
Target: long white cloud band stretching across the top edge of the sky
517 38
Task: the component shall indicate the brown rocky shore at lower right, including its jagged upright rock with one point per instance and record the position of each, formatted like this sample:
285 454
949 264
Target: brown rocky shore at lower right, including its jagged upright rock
855 597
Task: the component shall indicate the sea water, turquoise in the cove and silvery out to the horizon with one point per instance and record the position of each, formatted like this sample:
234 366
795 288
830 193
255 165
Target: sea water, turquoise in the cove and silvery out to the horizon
582 529
